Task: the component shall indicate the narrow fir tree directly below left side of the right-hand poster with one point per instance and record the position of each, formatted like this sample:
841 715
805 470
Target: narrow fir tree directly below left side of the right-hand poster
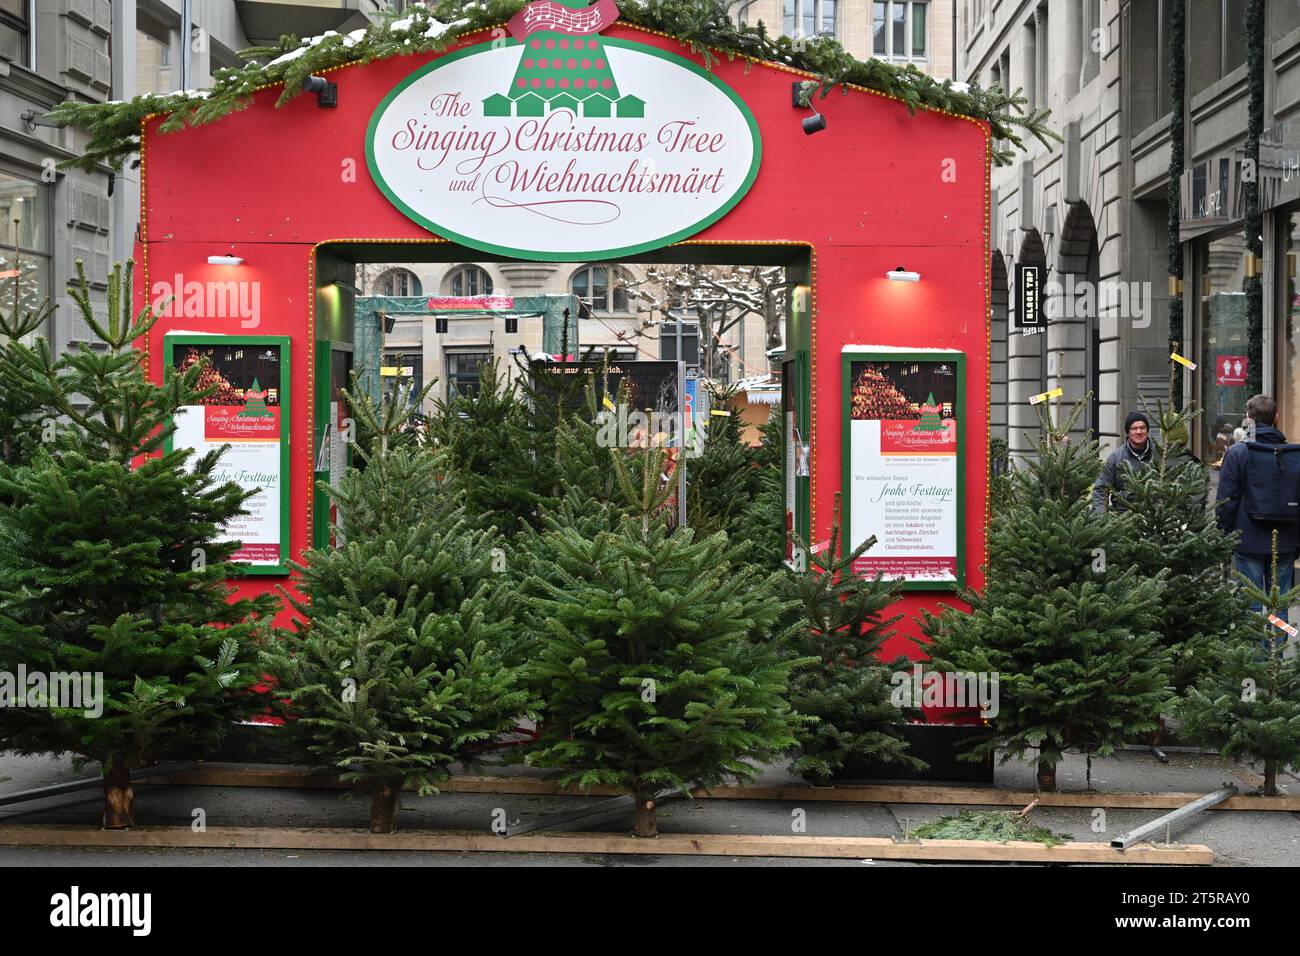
850 690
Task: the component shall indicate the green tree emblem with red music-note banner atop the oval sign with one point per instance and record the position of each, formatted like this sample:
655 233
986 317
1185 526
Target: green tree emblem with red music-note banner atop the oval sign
564 64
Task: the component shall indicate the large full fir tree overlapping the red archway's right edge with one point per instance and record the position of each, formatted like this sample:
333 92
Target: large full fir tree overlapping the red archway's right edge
1074 639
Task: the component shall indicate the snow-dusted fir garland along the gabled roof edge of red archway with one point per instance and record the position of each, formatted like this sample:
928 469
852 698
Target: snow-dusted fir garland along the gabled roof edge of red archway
701 25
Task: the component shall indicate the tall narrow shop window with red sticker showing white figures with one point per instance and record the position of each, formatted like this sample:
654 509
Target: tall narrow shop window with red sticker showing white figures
1224 341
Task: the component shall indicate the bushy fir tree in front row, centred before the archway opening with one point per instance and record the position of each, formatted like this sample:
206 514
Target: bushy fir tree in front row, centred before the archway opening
660 657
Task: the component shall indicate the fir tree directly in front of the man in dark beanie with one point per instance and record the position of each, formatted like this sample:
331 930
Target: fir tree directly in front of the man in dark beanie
1167 526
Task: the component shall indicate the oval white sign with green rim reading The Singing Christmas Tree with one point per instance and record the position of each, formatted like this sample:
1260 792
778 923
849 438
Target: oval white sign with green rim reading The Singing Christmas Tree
597 150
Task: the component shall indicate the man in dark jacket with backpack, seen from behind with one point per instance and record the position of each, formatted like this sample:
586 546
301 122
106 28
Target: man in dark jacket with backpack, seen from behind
1259 494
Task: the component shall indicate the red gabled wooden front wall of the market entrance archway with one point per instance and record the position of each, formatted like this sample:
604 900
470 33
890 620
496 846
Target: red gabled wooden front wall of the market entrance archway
285 189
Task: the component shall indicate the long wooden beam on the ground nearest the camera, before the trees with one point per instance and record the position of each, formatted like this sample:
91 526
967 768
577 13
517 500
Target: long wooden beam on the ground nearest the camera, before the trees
665 845
